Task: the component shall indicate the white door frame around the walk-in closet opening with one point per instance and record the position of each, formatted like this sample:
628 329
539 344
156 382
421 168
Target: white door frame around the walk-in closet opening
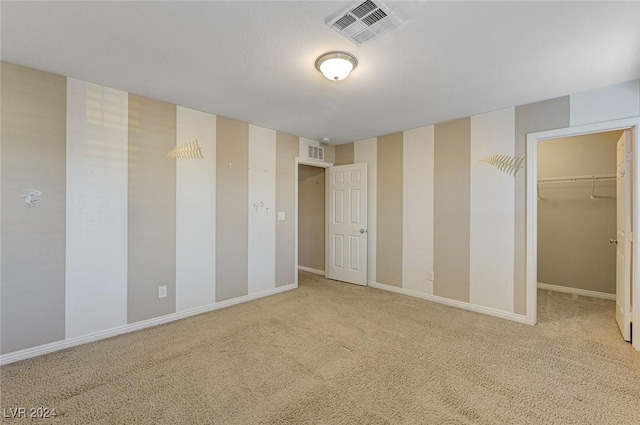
532 211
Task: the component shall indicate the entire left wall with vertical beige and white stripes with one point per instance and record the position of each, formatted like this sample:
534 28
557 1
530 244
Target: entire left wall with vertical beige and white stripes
118 146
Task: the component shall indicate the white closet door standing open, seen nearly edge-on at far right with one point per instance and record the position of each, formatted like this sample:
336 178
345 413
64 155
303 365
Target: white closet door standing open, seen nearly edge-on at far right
623 236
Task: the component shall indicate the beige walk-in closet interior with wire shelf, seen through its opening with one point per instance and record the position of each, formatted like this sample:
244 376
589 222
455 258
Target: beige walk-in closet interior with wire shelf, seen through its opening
576 228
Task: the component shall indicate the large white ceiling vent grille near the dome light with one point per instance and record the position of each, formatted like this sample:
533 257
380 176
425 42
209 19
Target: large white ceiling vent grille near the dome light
364 22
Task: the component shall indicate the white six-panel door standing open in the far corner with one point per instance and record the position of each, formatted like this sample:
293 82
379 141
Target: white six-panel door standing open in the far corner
347 224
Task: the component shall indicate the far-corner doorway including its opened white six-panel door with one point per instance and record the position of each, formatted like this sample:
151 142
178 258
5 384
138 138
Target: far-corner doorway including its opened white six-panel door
344 240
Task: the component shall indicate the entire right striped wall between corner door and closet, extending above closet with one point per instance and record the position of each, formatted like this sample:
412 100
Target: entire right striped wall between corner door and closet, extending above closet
447 201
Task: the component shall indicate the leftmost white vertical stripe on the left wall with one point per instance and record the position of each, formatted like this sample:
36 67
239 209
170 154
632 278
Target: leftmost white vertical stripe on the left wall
96 204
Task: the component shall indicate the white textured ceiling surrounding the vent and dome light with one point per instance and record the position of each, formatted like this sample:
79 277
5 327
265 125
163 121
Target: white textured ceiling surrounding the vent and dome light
254 60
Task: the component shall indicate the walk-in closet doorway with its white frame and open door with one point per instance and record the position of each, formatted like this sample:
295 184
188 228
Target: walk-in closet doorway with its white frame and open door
559 187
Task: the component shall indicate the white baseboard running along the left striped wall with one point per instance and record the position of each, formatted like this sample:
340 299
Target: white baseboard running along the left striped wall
72 342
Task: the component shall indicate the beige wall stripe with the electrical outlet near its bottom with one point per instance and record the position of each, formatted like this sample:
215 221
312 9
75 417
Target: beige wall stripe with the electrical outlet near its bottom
151 209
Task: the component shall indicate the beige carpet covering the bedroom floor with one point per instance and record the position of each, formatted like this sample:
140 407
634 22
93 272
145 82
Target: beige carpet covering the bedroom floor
334 353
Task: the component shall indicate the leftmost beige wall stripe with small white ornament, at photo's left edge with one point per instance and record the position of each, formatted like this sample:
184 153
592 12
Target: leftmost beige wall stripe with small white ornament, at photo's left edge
34 108
